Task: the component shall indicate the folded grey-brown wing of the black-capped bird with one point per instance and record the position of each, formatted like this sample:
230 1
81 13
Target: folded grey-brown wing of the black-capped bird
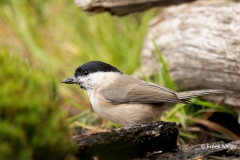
138 91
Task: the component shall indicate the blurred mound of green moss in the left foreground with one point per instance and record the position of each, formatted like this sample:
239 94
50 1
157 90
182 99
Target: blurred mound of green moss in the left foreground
31 124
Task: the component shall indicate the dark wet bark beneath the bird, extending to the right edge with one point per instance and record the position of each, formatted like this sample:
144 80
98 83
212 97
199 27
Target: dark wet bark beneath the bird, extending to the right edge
148 141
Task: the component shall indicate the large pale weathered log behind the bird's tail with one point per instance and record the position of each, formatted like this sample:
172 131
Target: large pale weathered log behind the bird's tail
201 43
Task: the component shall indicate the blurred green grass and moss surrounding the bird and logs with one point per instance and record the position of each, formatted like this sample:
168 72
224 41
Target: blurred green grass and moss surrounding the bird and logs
42 42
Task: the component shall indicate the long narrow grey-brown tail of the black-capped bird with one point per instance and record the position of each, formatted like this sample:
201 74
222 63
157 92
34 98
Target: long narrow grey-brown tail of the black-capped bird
191 94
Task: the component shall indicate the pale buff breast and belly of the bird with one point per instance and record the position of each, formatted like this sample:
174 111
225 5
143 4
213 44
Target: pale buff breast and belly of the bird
125 114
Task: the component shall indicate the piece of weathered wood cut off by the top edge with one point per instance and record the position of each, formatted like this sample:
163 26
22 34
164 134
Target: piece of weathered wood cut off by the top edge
124 7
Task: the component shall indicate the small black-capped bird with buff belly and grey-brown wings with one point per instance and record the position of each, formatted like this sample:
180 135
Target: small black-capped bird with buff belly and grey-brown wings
124 99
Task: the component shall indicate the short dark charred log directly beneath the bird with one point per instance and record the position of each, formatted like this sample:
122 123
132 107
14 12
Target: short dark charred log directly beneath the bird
128 142
